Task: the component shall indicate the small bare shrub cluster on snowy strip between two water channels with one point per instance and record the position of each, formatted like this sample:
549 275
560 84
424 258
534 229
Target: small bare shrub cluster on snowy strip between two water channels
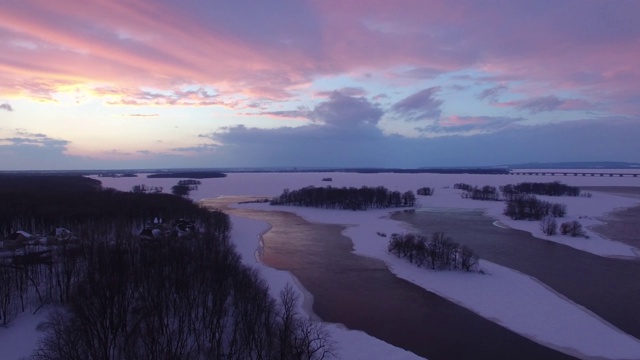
440 252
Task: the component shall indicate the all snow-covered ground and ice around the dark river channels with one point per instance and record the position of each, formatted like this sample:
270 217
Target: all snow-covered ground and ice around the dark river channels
512 299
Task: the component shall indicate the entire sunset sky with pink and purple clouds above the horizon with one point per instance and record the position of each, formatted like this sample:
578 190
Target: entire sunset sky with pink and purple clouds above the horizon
108 84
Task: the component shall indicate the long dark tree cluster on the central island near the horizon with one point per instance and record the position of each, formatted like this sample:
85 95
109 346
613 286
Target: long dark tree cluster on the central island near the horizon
346 198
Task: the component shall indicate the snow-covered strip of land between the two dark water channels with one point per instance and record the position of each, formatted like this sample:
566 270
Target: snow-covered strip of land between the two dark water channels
511 299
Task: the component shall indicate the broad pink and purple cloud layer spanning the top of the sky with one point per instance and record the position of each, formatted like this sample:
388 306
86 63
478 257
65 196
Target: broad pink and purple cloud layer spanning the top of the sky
267 50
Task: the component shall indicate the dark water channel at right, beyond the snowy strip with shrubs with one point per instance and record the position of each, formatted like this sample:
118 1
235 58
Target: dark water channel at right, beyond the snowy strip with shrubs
608 287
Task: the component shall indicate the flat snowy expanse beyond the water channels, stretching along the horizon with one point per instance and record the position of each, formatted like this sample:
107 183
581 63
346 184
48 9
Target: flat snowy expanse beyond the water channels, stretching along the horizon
583 209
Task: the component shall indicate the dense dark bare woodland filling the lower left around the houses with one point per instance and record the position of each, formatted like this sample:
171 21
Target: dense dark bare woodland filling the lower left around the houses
119 297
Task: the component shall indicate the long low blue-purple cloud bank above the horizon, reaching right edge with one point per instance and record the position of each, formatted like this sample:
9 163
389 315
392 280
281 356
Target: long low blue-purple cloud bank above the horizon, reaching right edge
320 145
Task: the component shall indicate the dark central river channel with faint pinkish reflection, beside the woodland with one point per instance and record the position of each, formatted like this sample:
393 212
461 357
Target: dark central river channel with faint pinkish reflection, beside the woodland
363 294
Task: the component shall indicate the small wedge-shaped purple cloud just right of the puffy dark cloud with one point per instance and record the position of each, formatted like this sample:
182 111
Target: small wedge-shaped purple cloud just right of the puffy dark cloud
420 106
